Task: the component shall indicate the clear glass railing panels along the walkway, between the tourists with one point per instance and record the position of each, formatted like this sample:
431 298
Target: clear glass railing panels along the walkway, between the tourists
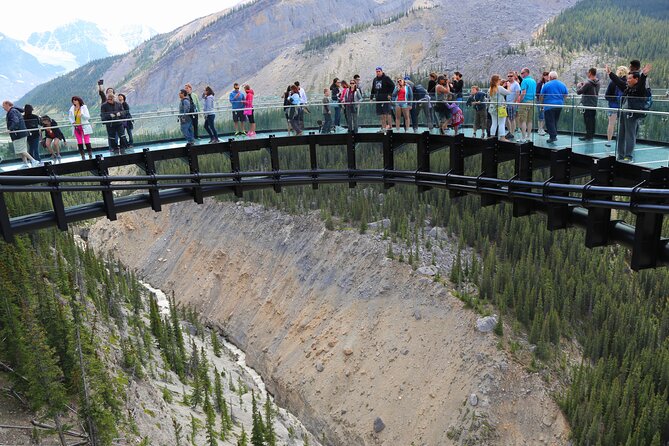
152 125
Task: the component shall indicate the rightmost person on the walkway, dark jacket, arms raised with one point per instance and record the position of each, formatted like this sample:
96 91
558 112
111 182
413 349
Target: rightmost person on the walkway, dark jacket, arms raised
634 98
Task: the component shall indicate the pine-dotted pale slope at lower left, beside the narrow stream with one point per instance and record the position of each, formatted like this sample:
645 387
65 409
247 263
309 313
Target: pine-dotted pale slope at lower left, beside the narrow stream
61 309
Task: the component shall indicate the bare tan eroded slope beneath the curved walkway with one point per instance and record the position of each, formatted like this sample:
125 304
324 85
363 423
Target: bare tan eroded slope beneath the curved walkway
332 327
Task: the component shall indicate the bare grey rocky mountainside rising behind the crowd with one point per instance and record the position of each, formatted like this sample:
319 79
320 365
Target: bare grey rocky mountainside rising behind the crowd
263 42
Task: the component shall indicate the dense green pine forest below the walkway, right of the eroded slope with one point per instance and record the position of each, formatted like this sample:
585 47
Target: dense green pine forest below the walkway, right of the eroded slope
548 282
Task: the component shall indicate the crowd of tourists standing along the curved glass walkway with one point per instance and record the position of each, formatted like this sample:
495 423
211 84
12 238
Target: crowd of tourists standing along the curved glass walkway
503 109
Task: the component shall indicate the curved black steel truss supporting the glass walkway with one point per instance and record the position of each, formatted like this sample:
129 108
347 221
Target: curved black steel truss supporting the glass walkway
612 185
